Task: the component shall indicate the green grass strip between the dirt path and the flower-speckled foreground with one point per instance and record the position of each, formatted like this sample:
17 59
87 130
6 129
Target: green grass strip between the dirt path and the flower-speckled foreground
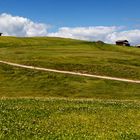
19 82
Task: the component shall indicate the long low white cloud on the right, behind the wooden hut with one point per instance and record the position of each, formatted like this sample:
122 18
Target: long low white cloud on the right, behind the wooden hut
107 34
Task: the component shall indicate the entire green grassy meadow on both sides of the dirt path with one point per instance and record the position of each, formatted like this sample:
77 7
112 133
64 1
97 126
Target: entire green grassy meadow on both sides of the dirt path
45 105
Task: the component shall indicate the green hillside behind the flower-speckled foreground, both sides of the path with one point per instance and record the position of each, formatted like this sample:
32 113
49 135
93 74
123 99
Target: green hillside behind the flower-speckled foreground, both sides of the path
72 55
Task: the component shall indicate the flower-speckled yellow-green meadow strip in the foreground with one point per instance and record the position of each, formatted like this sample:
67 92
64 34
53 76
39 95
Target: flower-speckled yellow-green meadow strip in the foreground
69 119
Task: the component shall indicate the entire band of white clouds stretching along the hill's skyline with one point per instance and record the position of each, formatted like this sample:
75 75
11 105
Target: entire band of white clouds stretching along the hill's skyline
20 26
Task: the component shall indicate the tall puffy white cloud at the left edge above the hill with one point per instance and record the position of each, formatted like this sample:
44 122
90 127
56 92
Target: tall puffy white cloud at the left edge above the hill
20 26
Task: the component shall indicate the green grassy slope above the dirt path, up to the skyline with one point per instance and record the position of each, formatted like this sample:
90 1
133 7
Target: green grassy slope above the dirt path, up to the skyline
73 55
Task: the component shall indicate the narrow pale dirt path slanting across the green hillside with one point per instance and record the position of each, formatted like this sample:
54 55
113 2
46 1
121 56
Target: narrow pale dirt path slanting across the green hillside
71 73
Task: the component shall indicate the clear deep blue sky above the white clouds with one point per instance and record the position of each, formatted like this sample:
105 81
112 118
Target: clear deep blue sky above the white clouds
76 13
